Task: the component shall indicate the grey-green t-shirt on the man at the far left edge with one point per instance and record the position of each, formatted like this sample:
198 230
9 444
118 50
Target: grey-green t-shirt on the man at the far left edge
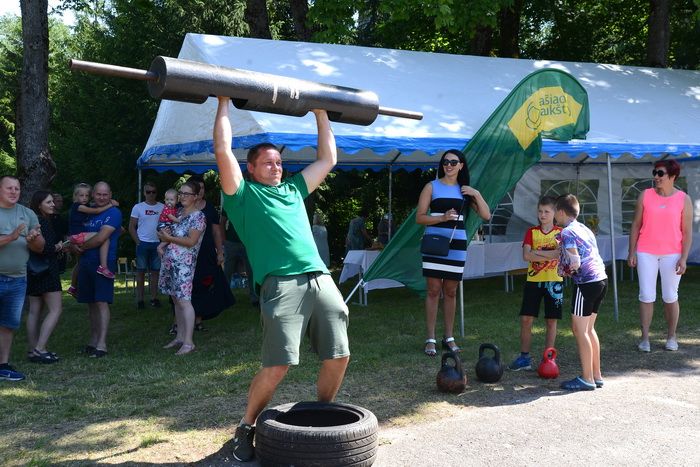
14 255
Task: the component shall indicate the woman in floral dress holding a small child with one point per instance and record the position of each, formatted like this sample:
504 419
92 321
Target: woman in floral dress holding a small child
178 249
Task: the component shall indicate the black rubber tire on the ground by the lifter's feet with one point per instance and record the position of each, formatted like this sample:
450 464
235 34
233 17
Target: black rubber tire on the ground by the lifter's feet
316 434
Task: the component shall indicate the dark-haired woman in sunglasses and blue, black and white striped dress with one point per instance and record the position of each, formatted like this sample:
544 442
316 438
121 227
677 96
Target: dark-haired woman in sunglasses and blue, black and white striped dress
439 209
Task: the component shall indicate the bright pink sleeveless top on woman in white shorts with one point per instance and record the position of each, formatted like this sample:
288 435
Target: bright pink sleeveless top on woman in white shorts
661 223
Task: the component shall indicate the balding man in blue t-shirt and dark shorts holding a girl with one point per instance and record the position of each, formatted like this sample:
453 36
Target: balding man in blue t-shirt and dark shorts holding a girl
96 290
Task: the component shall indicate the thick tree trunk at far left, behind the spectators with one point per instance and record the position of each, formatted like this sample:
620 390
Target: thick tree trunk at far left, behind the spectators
35 166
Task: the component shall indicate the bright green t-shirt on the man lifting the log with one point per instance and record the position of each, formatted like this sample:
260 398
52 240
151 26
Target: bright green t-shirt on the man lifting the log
274 227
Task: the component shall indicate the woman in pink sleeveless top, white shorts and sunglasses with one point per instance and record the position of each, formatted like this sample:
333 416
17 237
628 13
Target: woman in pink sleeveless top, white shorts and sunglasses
660 240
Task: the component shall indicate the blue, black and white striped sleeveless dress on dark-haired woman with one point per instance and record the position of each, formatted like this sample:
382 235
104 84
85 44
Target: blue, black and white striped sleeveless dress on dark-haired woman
444 198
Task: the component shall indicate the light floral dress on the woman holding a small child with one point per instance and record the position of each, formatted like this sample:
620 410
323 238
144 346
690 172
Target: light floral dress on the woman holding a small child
178 262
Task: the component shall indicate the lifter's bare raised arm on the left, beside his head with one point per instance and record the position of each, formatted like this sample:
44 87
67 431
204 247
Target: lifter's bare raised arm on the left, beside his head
230 174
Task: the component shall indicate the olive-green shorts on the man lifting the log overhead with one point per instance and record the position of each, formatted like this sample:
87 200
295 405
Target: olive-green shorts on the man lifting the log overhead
292 306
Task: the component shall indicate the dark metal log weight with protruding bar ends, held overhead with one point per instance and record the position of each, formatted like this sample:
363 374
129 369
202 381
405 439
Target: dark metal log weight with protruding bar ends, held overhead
189 81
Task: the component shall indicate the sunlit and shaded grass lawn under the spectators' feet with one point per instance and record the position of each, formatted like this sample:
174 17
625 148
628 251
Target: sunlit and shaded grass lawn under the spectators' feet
143 404
